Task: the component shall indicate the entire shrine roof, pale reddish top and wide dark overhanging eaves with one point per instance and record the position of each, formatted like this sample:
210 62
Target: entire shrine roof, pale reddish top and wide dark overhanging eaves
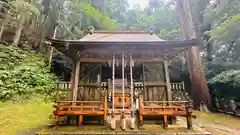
139 43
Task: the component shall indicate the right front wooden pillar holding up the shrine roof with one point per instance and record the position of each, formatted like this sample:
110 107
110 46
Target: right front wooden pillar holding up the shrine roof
167 79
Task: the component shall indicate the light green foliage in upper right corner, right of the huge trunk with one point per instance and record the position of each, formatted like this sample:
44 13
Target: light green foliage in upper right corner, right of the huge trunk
222 20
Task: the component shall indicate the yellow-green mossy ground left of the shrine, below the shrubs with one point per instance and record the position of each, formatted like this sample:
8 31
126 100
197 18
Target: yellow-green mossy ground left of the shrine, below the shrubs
19 117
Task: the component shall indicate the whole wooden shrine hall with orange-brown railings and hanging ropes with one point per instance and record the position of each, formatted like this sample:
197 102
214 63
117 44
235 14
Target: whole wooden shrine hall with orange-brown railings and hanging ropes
122 78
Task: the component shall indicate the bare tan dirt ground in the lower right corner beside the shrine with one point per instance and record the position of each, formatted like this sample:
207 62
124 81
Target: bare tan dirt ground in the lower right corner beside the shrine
218 124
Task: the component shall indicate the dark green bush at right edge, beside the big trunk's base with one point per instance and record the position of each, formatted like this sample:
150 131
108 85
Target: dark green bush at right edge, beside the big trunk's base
224 80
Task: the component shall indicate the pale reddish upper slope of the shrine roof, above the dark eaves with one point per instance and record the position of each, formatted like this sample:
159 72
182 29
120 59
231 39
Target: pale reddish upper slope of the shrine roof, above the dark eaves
121 36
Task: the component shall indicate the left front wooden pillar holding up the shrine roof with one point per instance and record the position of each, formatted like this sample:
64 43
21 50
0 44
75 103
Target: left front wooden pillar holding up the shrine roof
75 81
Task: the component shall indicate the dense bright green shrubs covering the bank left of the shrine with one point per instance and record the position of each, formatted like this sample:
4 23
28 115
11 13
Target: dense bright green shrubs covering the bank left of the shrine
23 73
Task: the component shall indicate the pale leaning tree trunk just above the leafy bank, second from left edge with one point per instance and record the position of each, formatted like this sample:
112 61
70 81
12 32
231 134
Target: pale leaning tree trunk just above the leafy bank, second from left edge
18 32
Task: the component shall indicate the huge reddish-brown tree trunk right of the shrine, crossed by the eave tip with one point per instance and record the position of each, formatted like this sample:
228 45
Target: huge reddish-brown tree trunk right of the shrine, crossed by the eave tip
199 89
